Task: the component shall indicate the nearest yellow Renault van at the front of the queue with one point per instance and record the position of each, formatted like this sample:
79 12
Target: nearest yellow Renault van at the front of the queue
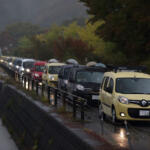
125 96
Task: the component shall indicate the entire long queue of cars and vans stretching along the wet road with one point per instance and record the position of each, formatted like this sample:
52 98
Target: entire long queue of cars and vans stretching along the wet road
122 93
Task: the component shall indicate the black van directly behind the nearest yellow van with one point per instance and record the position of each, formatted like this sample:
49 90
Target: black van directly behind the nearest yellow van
85 82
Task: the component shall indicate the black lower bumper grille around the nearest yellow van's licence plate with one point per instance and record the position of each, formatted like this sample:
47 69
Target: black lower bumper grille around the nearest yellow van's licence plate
134 113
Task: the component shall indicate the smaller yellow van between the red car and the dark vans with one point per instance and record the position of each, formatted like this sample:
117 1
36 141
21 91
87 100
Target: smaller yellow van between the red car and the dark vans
50 75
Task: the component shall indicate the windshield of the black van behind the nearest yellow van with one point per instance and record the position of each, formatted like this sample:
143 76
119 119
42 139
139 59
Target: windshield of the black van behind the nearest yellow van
89 76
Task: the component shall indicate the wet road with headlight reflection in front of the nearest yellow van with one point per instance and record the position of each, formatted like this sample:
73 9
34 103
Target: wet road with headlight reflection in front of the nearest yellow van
135 137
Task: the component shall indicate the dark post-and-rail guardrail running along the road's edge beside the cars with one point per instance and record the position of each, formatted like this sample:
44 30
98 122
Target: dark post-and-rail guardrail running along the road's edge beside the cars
77 103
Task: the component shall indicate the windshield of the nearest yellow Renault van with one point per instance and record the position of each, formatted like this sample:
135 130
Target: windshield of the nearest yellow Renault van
133 85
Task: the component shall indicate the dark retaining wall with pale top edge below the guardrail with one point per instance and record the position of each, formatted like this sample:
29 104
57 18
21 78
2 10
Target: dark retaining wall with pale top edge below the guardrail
35 128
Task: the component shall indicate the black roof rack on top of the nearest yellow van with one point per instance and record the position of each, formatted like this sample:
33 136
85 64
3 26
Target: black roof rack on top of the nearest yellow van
127 68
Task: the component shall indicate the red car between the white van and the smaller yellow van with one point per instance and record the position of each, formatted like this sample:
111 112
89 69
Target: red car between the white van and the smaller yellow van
38 69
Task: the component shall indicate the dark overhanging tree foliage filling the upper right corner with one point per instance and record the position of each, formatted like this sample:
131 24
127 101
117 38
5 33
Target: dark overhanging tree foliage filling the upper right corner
127 23
